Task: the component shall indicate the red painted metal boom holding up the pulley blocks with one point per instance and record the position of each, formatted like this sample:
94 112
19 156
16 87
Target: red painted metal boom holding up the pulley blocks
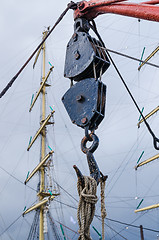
93 8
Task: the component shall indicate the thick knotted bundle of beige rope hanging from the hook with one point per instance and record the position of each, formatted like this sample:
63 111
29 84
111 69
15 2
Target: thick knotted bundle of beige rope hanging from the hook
86 206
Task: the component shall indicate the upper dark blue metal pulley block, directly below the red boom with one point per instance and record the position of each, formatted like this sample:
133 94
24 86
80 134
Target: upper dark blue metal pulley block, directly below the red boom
85 57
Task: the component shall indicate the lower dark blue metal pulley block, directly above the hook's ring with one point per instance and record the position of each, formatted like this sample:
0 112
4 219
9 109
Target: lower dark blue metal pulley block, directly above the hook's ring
85 103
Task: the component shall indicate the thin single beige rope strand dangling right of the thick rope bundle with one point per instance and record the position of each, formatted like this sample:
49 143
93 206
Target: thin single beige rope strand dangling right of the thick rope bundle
103 210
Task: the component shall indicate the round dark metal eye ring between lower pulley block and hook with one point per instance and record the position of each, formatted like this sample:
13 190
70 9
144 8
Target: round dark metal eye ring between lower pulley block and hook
94 145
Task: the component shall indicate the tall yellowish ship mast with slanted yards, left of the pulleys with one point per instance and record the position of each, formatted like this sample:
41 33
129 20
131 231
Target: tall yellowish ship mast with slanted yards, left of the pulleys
44 195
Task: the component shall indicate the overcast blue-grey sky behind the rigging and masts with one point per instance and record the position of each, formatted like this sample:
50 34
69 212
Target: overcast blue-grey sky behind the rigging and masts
121 142
